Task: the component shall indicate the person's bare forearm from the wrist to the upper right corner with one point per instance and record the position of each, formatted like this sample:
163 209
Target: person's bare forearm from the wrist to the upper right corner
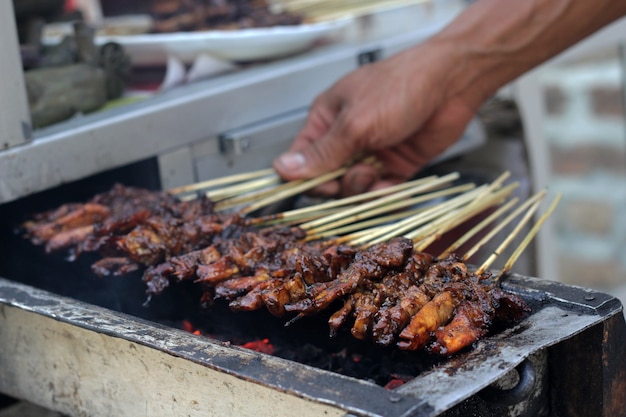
495 41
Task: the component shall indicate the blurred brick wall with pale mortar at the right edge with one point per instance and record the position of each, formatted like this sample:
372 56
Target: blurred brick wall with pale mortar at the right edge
586 131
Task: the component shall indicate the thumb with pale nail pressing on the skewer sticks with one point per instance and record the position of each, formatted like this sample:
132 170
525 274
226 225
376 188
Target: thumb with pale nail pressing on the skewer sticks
317 157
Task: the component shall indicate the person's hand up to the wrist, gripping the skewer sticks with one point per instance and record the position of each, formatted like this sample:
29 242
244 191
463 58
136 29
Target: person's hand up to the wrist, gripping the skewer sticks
401 110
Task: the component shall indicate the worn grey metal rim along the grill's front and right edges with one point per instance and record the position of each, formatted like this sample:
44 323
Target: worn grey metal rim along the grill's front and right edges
559 312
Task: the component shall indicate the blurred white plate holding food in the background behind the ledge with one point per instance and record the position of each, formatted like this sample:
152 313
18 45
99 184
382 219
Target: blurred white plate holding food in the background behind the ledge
236 45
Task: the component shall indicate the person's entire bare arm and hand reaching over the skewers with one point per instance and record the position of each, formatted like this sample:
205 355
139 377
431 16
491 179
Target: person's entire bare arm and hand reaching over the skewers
408 109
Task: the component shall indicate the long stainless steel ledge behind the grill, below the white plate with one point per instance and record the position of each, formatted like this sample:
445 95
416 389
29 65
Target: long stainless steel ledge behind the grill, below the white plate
193 114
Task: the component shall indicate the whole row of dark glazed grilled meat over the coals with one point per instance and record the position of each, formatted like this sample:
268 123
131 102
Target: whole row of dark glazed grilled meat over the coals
388 293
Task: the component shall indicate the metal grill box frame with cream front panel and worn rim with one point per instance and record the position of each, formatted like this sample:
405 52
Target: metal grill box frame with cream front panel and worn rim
571 320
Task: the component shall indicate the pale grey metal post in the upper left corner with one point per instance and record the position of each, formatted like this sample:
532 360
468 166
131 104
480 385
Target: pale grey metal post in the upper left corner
15 126
